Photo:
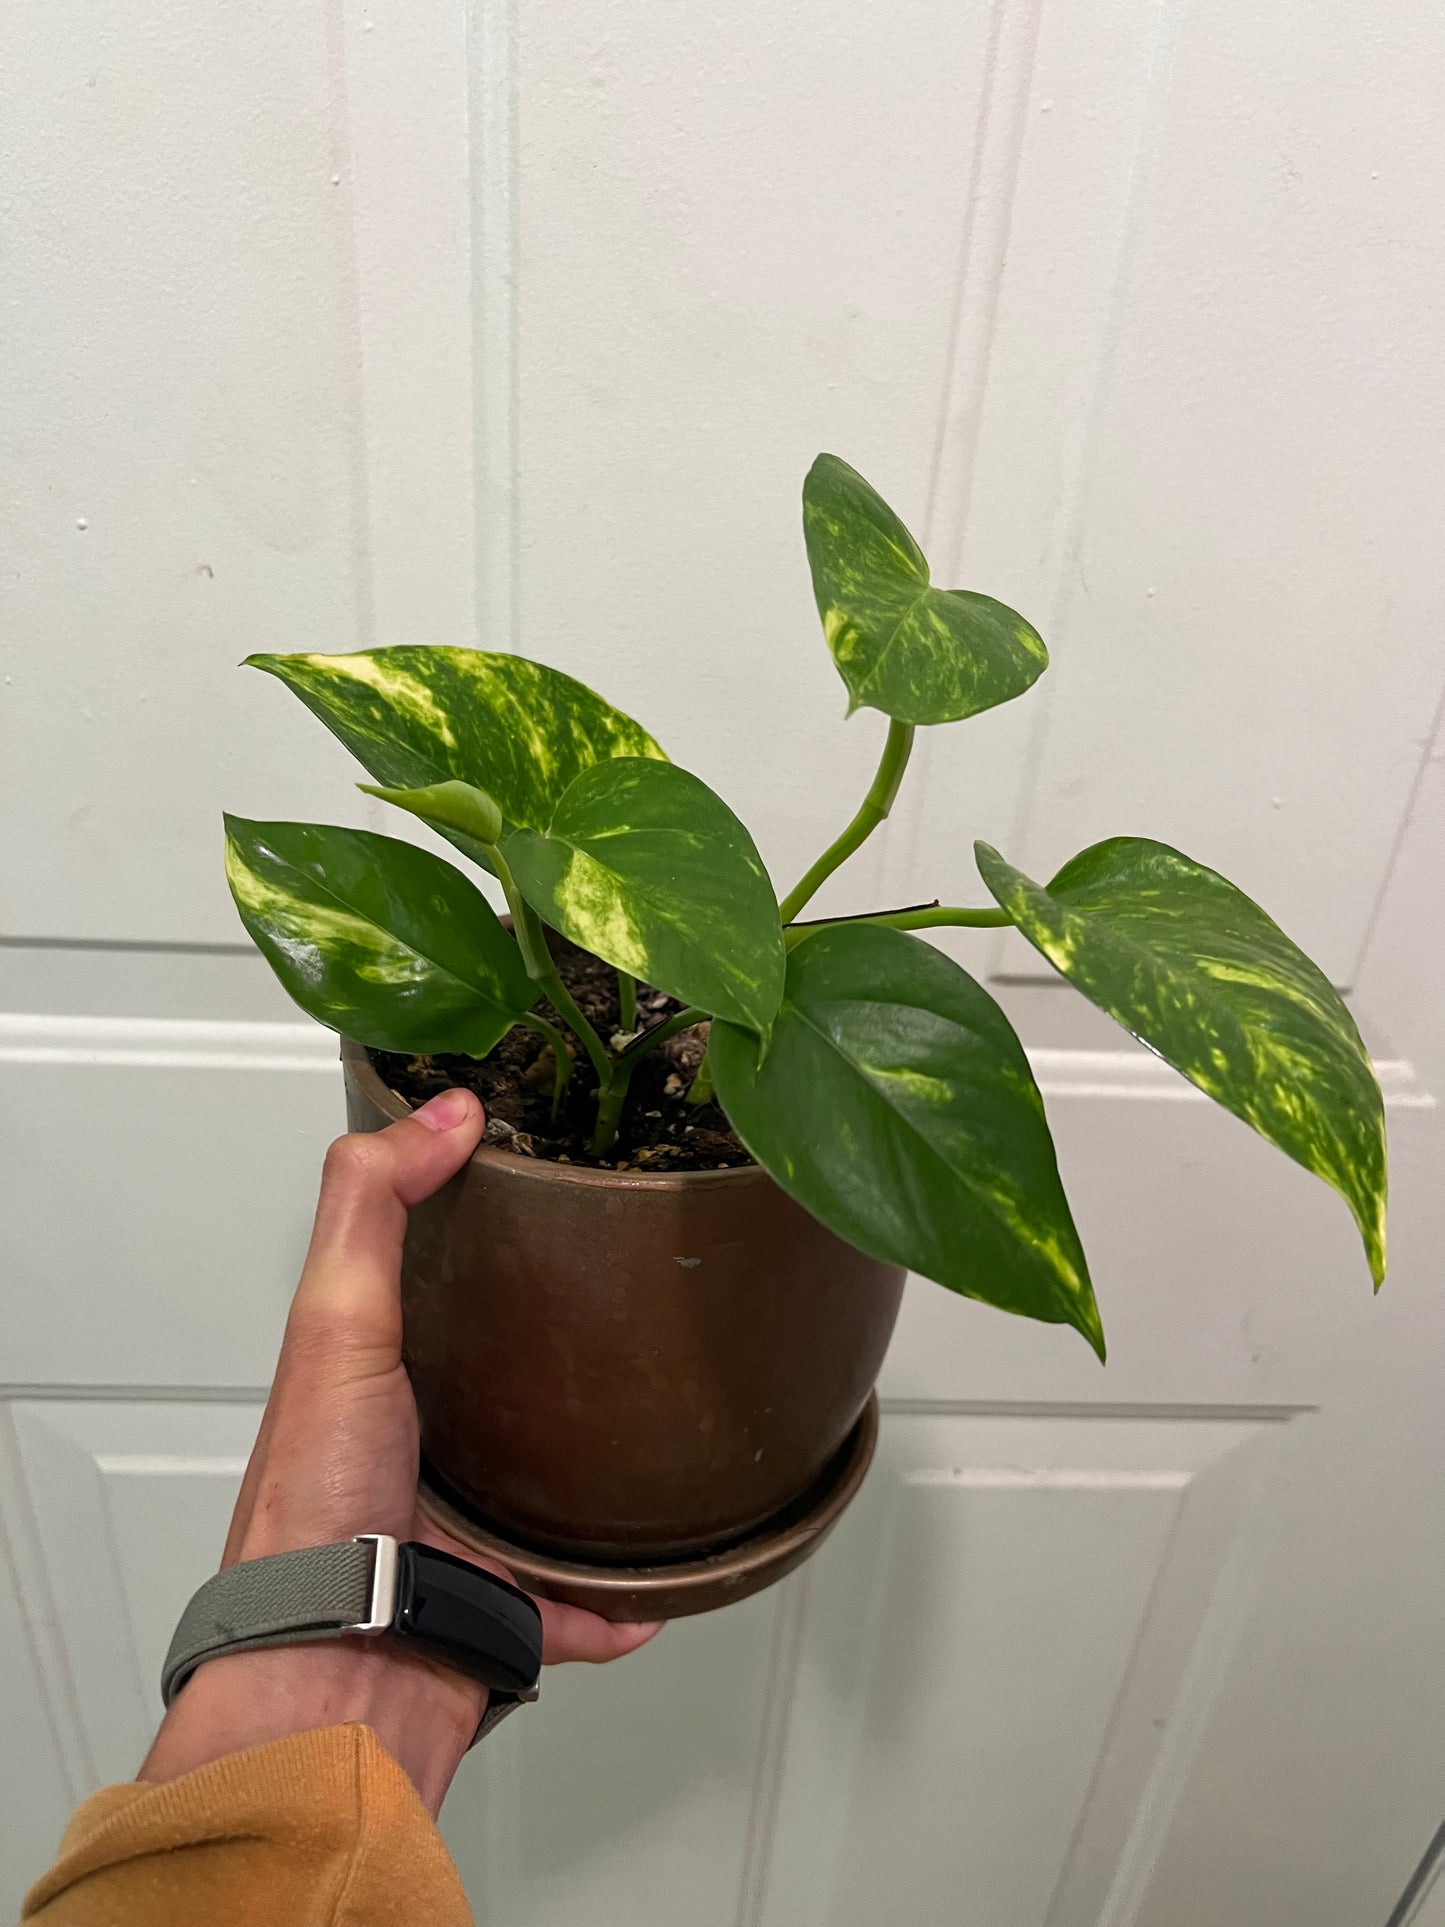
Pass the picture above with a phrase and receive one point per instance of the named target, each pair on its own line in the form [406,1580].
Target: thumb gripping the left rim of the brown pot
[354,1265]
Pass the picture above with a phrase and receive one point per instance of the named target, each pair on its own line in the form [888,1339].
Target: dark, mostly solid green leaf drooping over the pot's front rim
[897,1105]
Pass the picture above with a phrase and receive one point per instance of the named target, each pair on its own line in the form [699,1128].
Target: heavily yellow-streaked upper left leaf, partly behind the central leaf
[421,716]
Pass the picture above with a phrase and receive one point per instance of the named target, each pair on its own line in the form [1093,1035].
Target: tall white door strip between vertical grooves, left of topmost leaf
[770,277]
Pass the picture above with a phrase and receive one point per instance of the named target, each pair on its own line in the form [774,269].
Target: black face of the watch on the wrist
[471,1620]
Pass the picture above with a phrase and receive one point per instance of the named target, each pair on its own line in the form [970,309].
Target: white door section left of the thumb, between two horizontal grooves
[178,1228]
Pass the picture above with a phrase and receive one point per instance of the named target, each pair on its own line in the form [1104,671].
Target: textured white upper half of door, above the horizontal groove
[1124,307]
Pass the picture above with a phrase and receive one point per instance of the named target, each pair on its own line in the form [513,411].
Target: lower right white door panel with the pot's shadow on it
[1011,1649]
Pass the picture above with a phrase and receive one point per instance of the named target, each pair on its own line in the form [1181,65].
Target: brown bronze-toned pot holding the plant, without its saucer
[625,1367]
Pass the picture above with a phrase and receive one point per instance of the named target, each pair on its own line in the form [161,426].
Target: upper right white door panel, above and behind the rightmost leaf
[1244,660]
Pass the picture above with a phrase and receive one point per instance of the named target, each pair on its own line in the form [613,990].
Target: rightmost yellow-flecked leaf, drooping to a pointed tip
[1209,982]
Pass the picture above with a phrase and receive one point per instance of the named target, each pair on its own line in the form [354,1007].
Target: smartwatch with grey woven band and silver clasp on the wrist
[444,1608]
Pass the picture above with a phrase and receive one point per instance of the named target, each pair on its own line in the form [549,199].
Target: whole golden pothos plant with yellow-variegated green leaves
[864,1070]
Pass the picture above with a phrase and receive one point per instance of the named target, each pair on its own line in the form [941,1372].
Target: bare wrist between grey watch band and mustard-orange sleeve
[423,1714]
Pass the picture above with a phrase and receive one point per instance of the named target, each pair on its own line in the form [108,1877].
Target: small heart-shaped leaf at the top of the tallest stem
[903,647]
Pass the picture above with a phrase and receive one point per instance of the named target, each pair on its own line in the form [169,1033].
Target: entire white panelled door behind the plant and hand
[377,323]
